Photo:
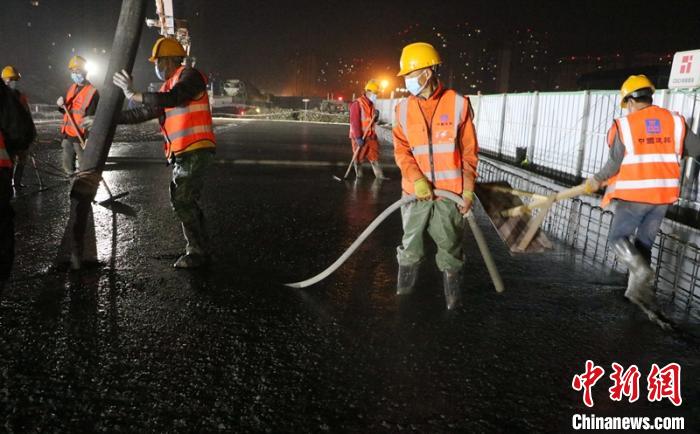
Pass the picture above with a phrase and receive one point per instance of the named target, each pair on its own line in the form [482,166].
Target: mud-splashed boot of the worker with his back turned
[639,289]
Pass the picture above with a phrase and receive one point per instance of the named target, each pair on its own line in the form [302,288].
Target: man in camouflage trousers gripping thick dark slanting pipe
[182,106]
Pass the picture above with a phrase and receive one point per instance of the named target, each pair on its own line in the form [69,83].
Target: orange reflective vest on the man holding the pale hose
[434,142]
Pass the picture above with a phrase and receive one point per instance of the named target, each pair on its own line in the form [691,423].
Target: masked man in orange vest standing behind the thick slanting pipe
[80,101]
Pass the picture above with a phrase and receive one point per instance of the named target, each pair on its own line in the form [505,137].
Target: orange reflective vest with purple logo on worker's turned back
[650,171]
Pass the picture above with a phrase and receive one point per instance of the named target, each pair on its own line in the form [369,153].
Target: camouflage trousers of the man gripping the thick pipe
[186,187]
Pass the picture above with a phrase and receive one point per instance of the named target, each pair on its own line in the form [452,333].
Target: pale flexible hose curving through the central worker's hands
[478,236]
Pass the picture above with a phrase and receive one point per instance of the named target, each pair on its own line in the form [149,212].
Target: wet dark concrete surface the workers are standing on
[134,346]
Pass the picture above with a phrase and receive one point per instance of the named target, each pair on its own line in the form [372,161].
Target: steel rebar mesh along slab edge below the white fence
[584,227]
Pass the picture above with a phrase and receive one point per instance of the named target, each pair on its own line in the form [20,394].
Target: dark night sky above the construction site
[261,40]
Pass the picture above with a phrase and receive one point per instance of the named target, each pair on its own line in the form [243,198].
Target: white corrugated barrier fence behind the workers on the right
[562,132]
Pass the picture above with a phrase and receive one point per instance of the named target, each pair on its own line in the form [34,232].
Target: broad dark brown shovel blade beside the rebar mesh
[495,198]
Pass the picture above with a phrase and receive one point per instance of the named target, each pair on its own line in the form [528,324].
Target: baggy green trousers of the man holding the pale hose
[443,222]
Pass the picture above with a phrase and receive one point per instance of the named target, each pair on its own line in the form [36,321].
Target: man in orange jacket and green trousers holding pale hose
[435,146]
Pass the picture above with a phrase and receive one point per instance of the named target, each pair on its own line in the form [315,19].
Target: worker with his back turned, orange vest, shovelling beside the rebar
[642,175]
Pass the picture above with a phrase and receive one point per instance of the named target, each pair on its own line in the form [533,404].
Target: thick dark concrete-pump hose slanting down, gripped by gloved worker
[84,188]
